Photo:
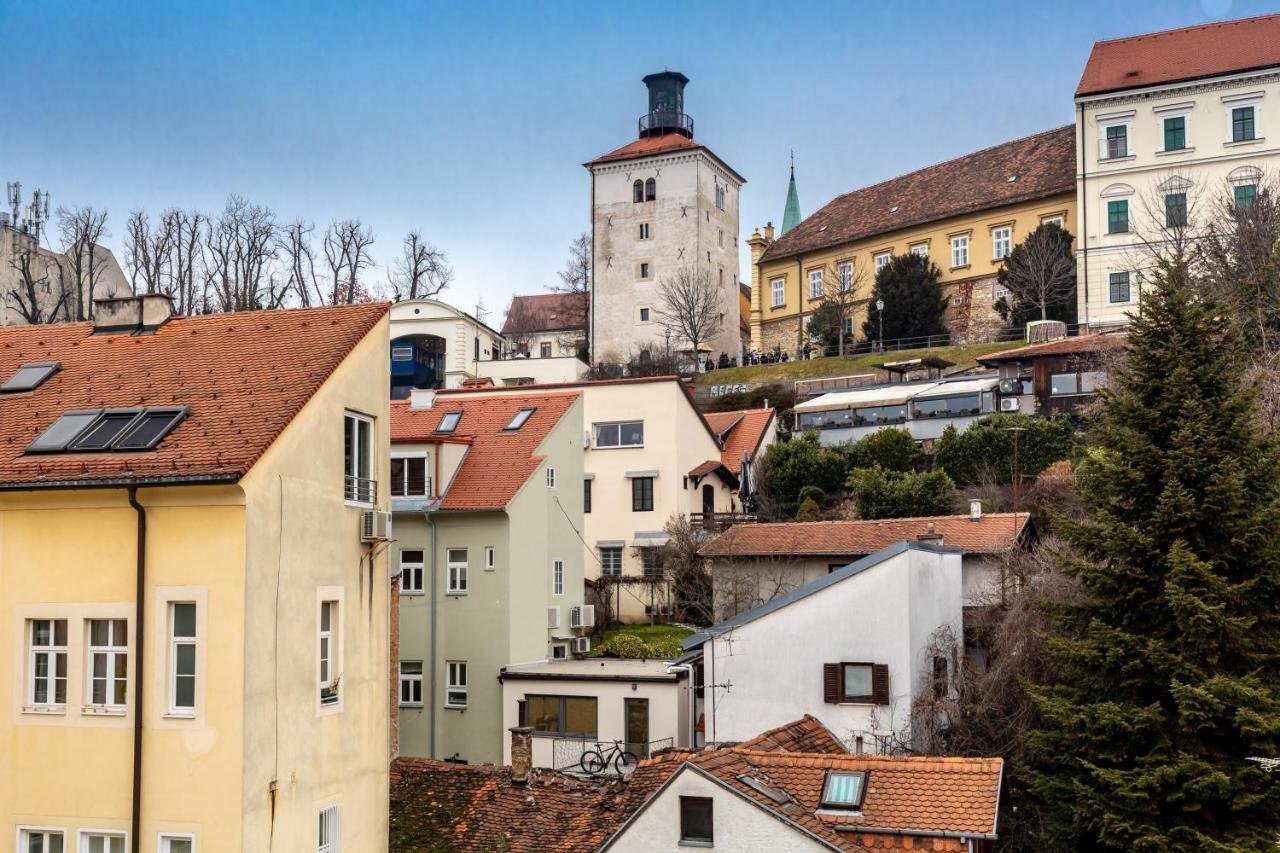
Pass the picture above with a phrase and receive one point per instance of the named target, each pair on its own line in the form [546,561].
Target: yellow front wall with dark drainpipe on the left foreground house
[71,555]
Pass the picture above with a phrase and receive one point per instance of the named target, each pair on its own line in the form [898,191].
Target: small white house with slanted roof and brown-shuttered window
[853,649]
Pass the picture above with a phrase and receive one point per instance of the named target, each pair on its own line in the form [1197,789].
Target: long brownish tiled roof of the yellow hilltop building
[1045,166]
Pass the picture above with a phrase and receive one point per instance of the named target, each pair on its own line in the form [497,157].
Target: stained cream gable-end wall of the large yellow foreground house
[303,542]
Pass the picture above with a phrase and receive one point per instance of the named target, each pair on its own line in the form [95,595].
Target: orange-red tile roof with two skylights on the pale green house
[499,462]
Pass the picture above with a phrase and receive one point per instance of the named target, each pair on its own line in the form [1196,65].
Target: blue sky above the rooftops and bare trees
[470,121]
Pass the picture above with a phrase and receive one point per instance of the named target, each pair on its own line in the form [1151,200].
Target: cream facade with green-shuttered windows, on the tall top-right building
[1208,165]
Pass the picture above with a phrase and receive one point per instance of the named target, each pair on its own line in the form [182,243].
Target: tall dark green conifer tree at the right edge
[1168,665]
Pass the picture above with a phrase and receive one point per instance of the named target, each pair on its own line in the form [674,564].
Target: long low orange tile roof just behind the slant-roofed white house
[996,532]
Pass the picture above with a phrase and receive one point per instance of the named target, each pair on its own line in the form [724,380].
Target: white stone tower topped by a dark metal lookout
[660,204]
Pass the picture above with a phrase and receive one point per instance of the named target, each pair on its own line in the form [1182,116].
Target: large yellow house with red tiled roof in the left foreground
[226,568]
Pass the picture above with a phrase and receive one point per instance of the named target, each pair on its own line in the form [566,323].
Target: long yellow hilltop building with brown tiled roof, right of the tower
[966,216]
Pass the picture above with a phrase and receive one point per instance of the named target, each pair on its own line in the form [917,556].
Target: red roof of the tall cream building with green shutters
[1191,53]
